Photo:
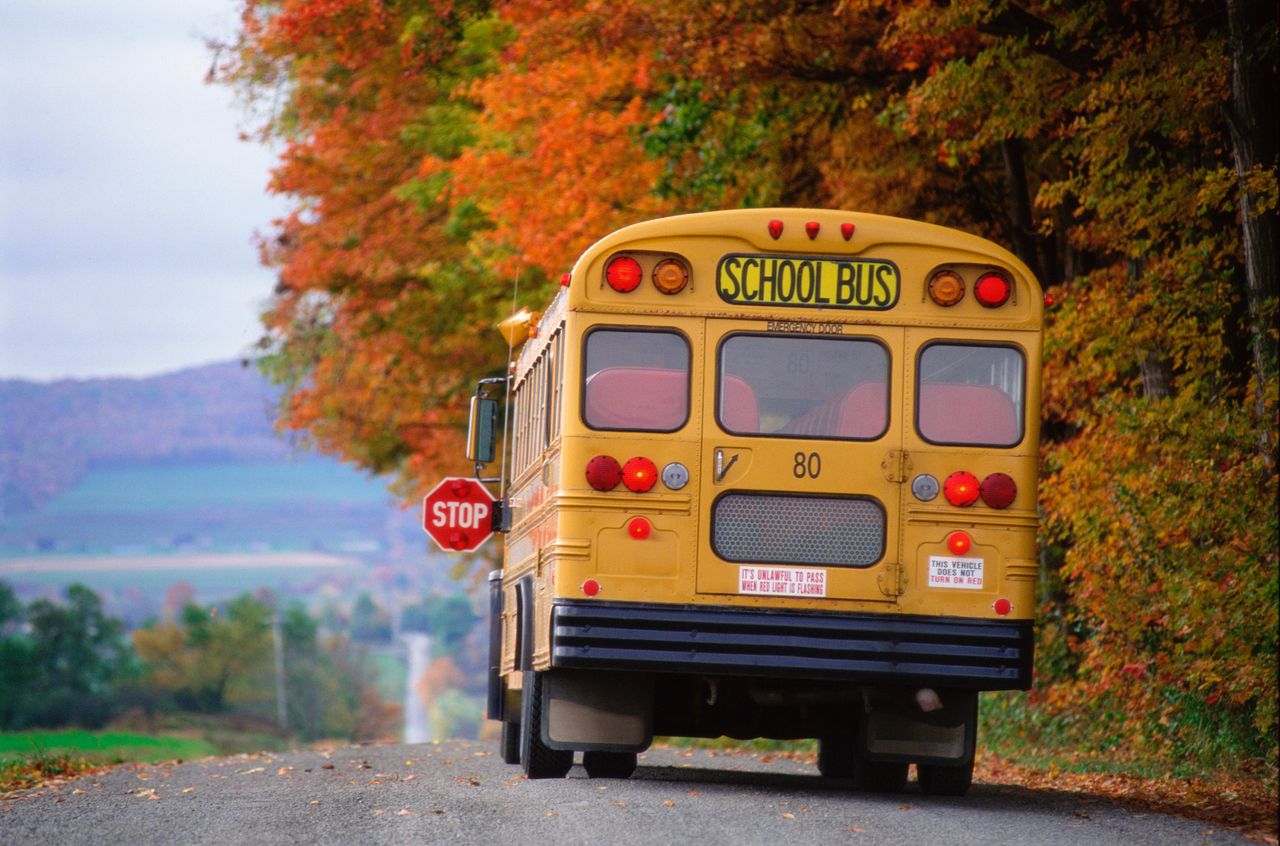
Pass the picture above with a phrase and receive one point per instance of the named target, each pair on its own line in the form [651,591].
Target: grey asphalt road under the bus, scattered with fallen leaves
[461,793]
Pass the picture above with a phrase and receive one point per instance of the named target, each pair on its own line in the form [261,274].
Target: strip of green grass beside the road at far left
[31,758]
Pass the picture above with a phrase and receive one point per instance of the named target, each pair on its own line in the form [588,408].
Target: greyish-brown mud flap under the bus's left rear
[598,711]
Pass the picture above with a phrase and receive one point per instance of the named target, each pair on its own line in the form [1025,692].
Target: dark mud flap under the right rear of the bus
[890,733]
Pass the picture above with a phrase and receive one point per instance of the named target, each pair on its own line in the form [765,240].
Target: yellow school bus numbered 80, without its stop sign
[772,474]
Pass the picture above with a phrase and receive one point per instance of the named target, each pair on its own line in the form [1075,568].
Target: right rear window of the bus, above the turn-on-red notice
[971,395]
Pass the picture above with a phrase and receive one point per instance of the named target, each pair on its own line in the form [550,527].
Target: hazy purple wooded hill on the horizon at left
[53,433]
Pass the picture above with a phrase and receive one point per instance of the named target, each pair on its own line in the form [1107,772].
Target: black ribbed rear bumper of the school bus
[890,650]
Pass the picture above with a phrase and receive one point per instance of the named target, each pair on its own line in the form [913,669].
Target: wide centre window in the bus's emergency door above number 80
[790,387]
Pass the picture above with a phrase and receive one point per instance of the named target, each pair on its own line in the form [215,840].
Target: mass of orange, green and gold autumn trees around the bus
[438,152]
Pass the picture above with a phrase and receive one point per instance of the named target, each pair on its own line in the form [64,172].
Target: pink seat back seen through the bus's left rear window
[638,399]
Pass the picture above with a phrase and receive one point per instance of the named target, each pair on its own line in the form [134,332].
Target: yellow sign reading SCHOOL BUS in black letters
[808,282]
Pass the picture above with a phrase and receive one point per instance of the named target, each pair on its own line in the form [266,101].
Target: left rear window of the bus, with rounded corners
[636,379]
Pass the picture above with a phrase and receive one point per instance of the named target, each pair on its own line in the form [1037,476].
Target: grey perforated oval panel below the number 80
[834,532]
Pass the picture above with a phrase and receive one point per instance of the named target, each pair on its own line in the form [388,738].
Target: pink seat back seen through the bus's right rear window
[967,415]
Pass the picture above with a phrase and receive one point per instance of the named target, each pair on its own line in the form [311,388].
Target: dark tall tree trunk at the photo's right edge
[1251,117]
